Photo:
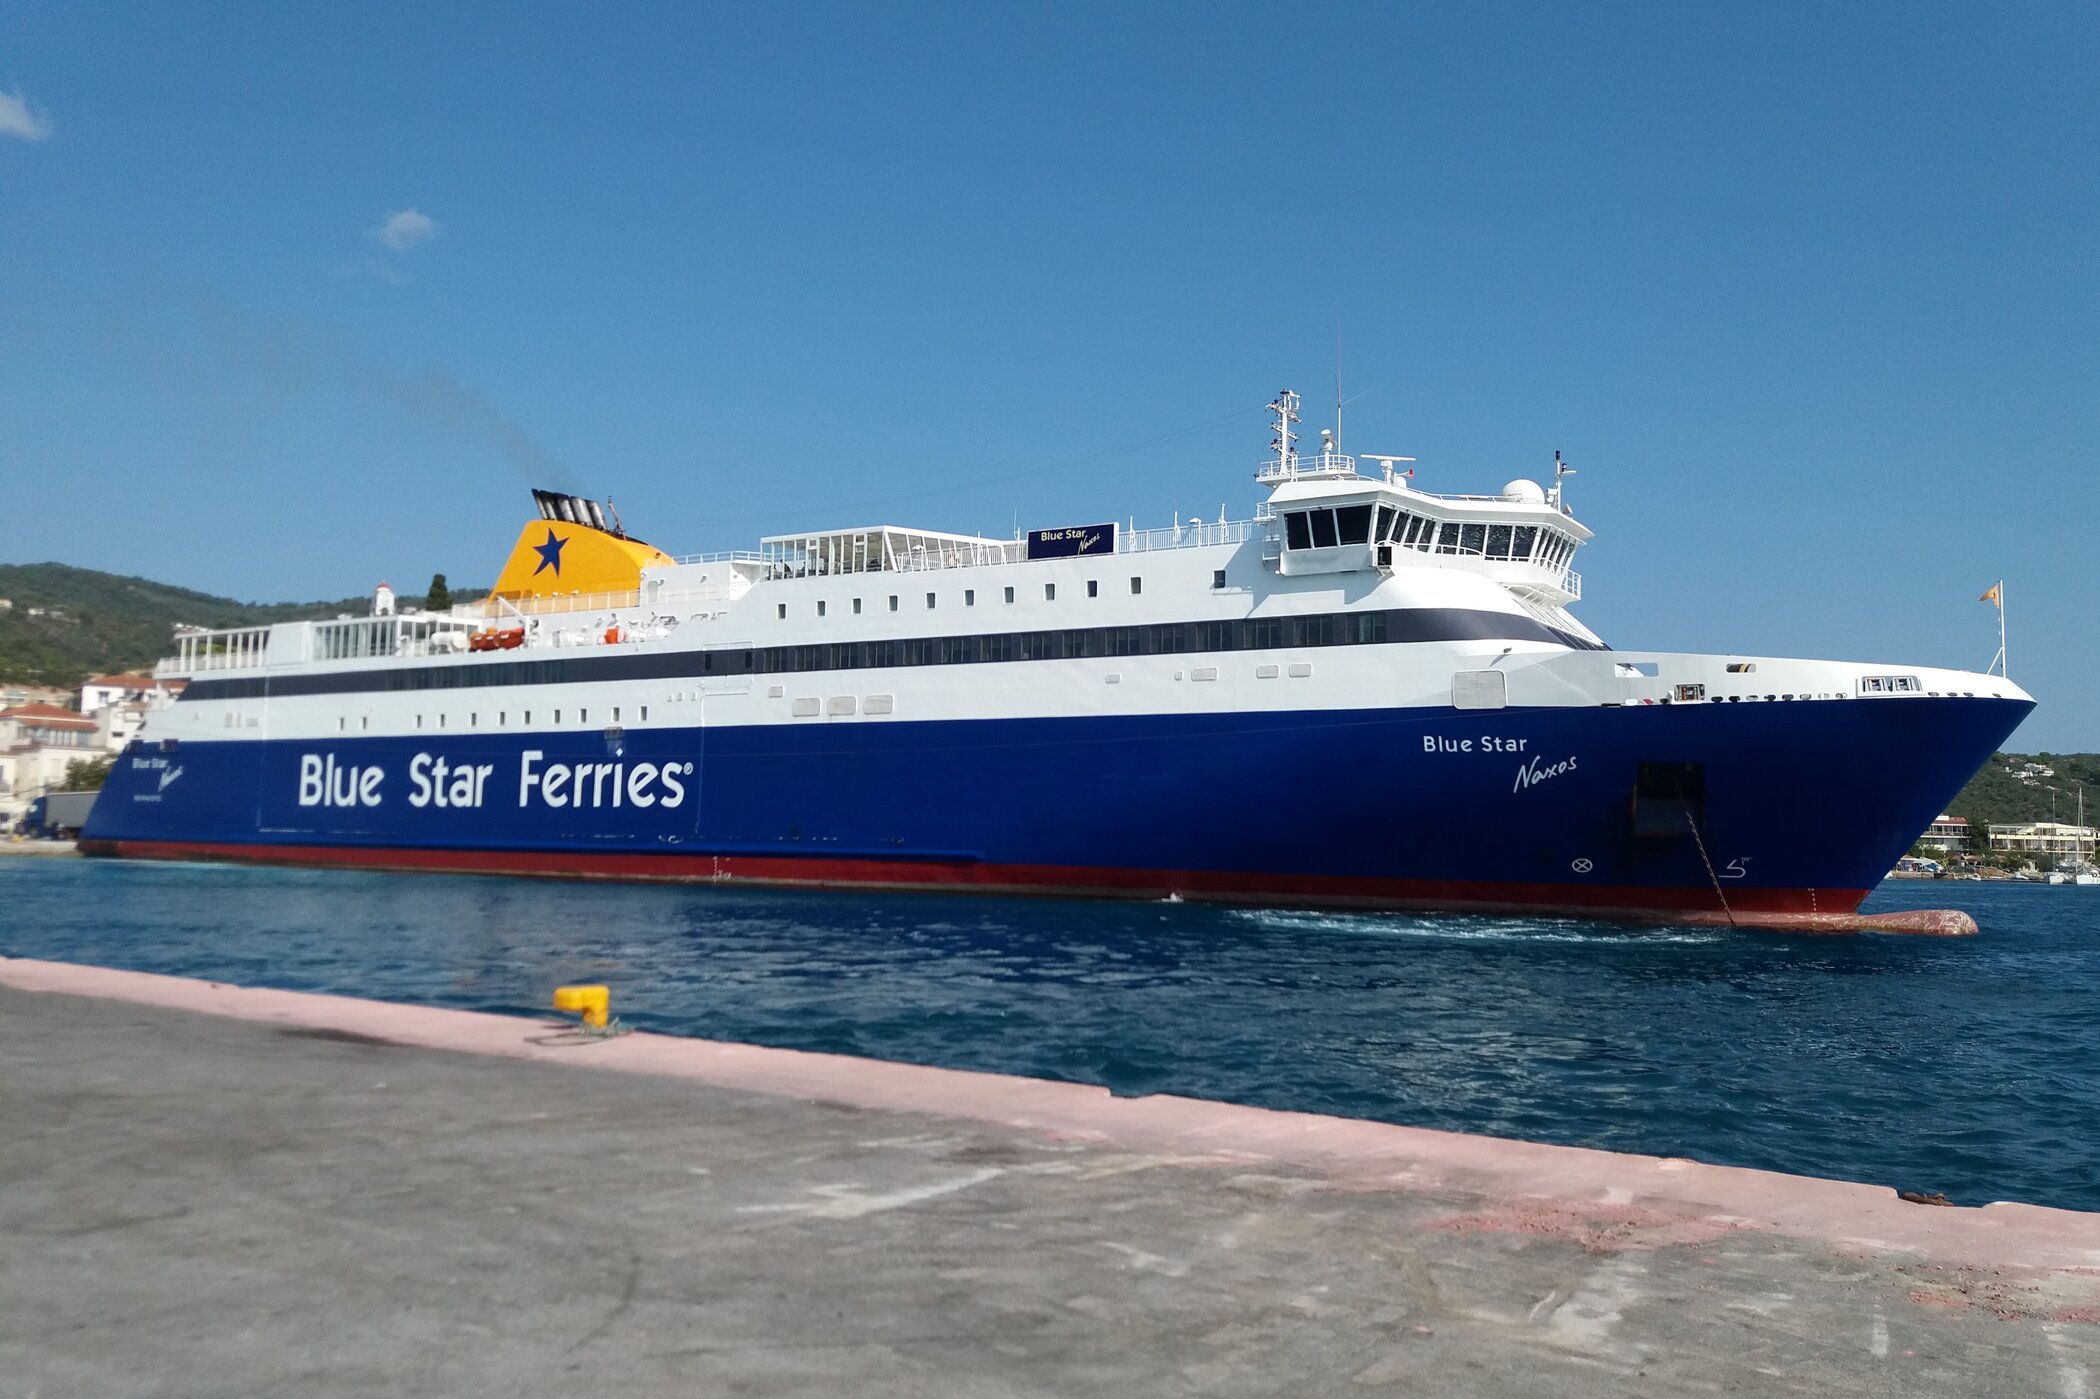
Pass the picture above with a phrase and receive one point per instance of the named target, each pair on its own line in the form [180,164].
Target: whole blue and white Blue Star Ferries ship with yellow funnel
[1364,696]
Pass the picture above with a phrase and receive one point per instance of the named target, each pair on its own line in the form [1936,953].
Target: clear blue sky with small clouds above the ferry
[303,297]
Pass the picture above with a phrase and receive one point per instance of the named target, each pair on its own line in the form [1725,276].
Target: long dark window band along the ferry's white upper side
[1404,625]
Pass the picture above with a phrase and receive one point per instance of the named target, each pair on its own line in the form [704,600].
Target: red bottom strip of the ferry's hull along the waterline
[1822,911]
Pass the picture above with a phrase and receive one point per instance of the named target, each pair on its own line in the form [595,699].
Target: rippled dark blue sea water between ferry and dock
[1960,1066]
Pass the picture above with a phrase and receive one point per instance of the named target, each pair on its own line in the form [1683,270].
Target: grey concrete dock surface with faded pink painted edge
[222,1192]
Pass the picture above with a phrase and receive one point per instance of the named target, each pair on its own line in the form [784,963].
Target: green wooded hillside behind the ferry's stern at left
[104,623]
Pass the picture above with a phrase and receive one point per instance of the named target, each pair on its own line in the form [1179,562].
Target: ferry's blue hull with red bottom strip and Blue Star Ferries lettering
[1788,814]
